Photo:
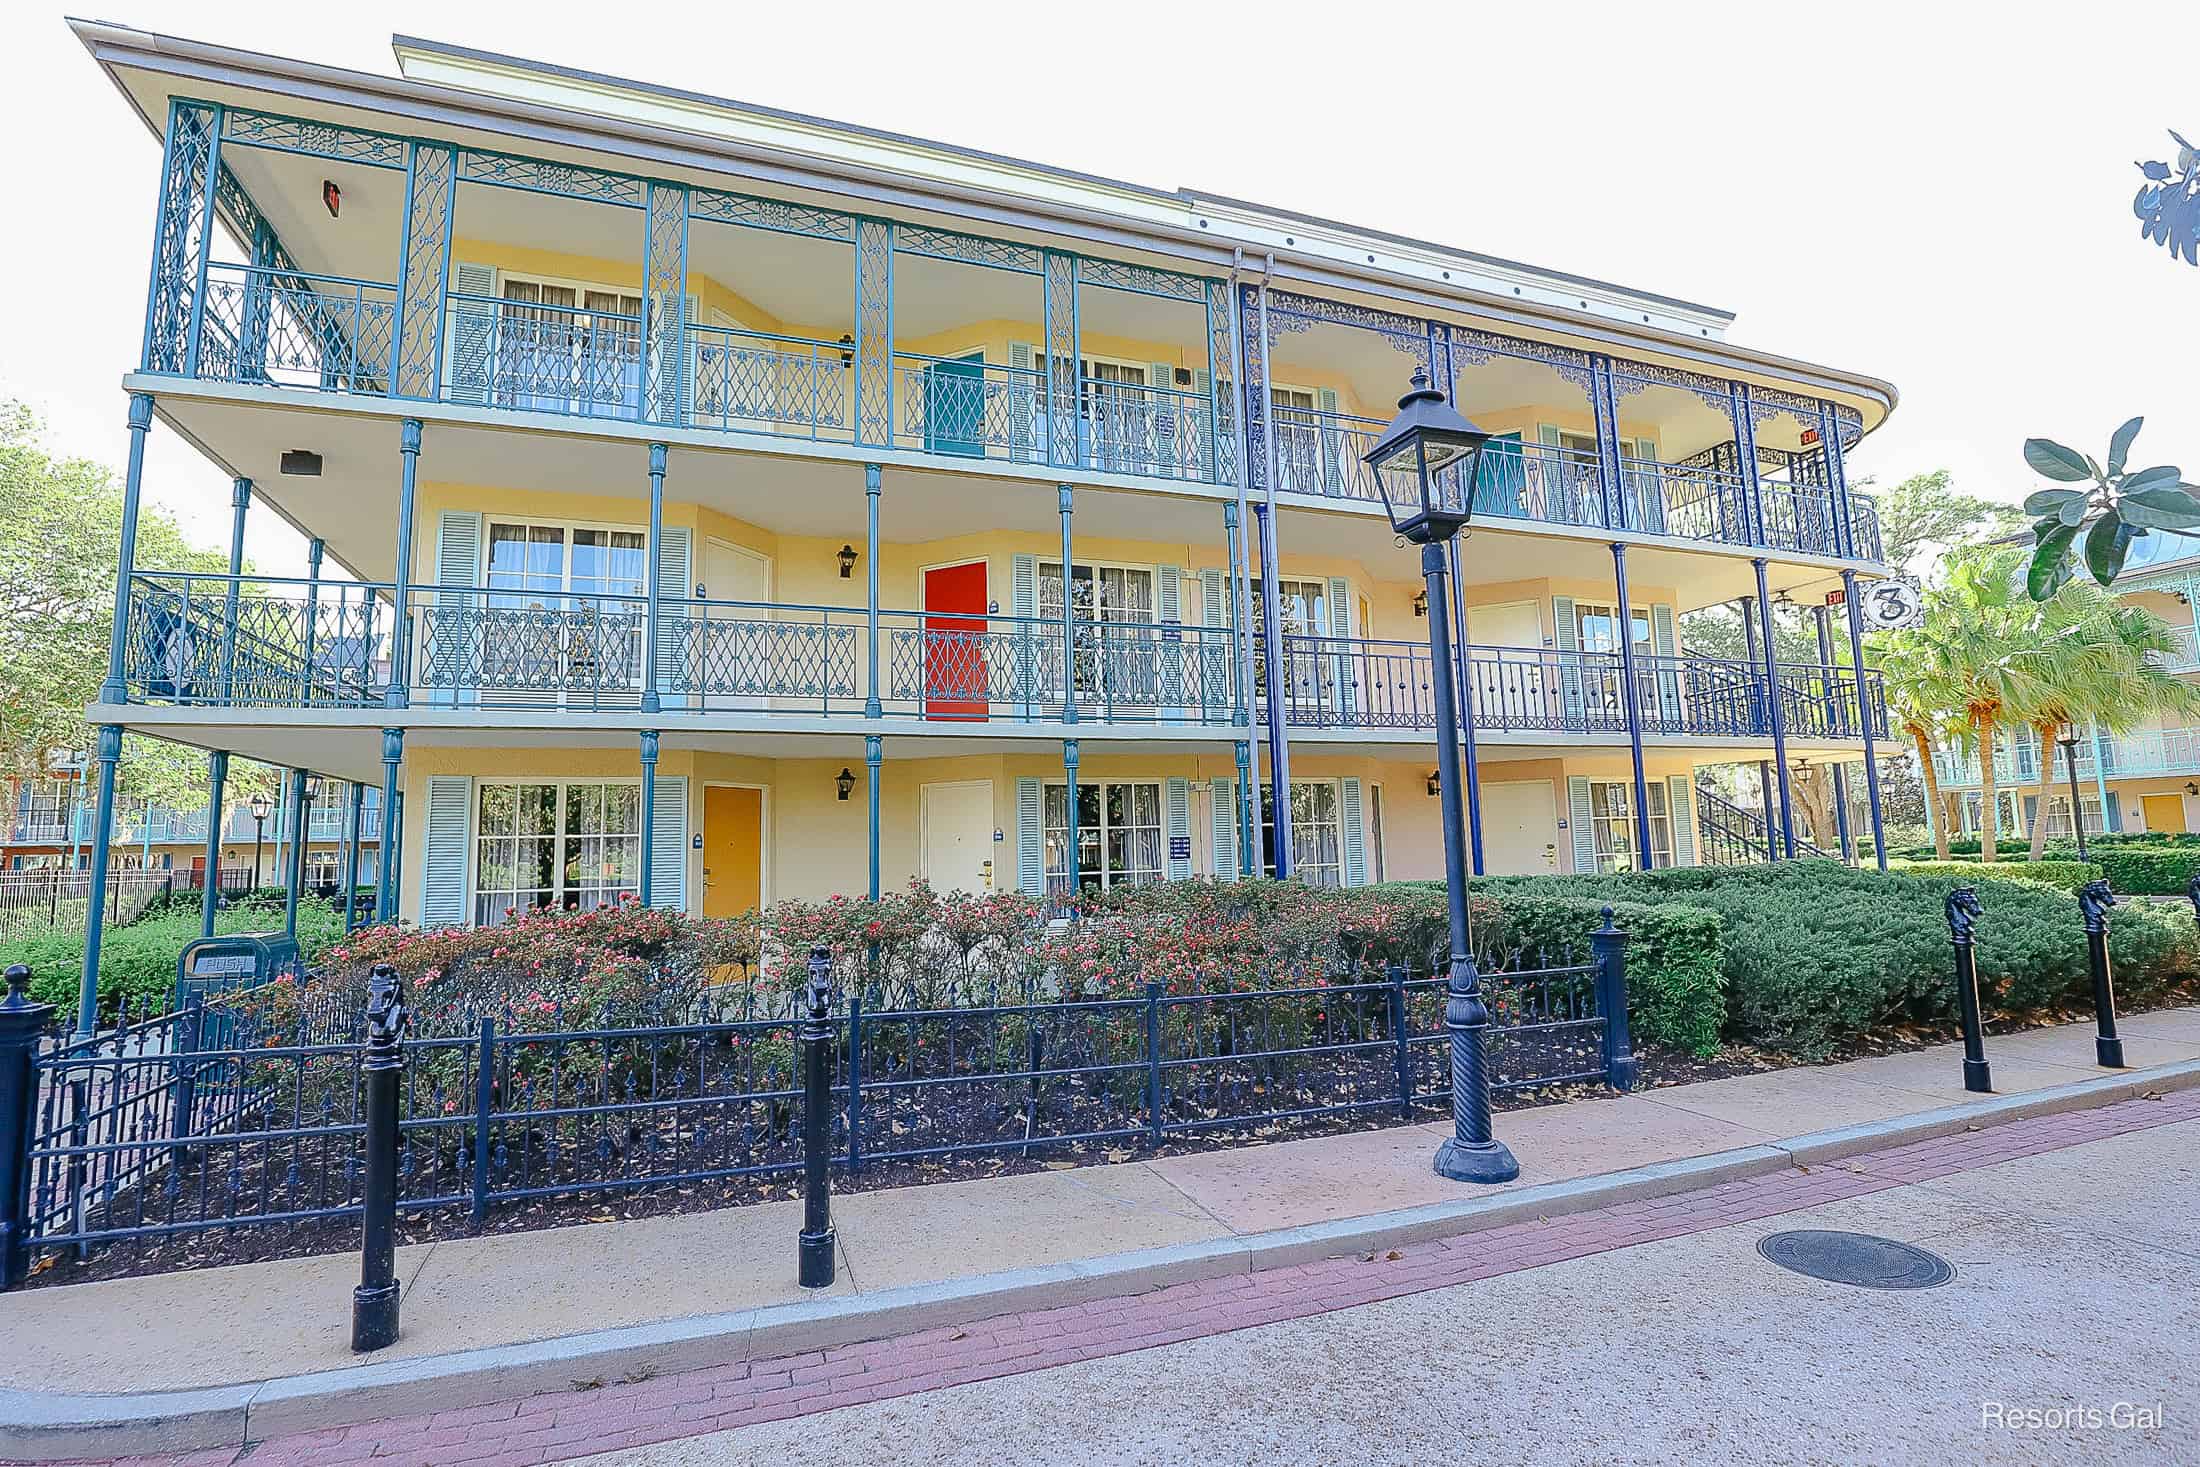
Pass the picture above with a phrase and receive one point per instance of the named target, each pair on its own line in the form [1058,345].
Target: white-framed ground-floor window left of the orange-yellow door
[566,846]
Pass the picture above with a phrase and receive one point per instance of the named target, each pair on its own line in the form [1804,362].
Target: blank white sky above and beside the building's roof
[1937,199]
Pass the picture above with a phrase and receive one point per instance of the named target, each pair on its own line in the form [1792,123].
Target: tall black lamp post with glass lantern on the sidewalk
[1427,465]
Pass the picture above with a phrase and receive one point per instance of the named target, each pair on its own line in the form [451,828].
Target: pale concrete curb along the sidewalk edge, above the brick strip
[58,1426]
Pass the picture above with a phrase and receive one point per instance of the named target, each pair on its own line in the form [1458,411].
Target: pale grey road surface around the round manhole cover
[2073,1294]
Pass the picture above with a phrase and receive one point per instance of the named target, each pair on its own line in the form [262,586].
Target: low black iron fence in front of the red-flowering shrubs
[223,1116]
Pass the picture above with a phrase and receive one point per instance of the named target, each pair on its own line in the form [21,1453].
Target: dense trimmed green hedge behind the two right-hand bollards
[1816,956]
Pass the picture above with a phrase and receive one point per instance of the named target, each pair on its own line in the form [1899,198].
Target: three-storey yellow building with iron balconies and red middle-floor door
[723,505]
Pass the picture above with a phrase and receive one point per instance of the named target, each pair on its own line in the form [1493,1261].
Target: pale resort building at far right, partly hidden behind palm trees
[2146,780]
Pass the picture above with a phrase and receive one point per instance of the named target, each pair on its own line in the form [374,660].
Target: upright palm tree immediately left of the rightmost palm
[1981,646]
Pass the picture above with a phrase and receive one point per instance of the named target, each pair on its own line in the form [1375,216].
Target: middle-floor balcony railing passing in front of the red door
[210,641]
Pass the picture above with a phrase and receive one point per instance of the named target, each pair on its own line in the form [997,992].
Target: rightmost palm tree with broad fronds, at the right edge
[2102,661]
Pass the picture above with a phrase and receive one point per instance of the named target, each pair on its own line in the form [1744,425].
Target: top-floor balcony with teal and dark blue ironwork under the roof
[780,322]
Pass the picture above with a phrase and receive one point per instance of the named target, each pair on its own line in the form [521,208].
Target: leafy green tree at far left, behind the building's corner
[60,538]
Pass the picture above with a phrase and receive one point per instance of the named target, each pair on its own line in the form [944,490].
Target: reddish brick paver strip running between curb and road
[577,1424]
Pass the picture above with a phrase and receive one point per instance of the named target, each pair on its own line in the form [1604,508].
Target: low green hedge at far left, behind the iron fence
[140,962]
